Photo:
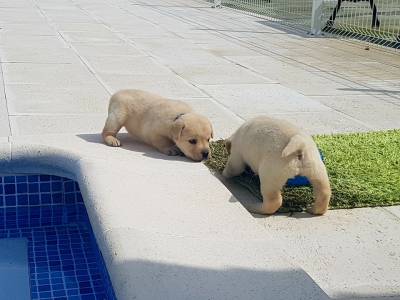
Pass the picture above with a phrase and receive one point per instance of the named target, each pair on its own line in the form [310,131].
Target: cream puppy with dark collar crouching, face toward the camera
[168,125]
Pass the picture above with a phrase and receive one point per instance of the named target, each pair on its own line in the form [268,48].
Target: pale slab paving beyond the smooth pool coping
[61,60]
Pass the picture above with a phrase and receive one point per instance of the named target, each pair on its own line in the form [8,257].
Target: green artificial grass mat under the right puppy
[364,171]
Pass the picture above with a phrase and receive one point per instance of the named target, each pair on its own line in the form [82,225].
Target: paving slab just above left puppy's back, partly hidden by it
[171,86]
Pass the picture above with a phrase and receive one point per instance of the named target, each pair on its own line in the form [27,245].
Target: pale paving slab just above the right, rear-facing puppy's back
[249,100]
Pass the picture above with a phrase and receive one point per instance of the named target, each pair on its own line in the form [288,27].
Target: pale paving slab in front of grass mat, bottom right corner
[357,246]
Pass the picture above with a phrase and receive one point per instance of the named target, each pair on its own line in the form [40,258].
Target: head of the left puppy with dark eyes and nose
[192,133]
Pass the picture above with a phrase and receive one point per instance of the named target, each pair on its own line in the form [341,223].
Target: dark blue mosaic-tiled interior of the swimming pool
[64,259]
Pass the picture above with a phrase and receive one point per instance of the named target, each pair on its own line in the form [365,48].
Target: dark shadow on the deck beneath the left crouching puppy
[128,144]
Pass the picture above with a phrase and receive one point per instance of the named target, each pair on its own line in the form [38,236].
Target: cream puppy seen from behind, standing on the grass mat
[276,150]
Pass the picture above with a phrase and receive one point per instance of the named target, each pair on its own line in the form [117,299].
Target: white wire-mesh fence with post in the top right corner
[375,21]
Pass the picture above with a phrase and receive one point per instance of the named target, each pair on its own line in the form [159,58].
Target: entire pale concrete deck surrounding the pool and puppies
[168,229]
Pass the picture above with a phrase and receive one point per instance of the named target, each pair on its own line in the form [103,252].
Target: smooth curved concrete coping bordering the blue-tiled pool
[167,240]
